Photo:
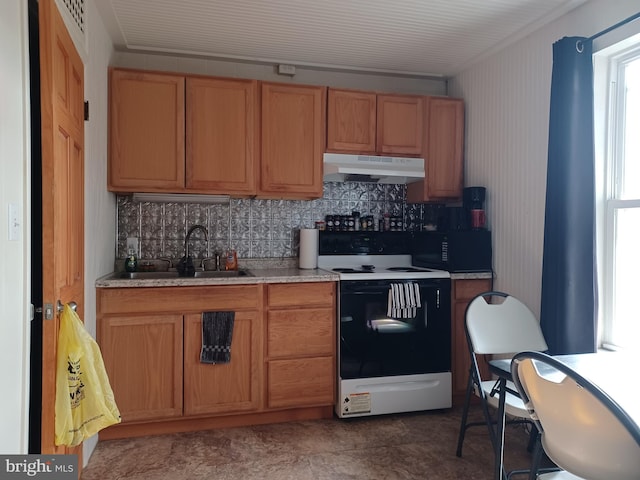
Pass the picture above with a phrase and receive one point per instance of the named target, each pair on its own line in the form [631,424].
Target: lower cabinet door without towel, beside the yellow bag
[143,359]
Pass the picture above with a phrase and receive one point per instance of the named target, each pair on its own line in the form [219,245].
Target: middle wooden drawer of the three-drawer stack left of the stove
[300,332]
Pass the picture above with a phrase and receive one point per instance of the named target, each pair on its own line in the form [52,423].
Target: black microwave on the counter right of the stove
[454,251]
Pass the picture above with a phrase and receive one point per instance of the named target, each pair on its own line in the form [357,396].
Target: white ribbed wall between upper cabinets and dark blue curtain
[507,120]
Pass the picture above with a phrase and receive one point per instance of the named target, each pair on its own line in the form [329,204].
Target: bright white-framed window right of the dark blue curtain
[620,204]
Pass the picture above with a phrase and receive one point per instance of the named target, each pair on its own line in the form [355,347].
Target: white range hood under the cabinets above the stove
[340,167]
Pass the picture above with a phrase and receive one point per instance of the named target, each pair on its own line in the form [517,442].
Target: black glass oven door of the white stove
[374,345]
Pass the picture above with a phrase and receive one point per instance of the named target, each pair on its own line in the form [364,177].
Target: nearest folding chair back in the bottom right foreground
[583,430]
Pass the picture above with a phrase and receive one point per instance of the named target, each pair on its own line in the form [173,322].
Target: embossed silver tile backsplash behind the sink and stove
[254,228]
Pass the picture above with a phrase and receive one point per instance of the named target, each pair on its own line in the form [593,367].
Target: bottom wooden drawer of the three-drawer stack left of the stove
[301,382]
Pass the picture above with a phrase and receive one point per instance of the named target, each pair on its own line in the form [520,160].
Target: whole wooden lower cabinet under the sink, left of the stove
[282,353]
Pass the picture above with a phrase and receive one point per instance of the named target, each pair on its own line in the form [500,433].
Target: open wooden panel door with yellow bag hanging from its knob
[62,104]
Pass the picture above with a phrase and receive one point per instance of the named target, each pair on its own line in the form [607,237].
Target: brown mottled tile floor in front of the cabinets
[404,446]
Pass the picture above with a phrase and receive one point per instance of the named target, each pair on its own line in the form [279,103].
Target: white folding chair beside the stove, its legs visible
[503,327]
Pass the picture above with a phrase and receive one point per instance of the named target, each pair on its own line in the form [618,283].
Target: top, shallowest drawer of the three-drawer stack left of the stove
[301,294]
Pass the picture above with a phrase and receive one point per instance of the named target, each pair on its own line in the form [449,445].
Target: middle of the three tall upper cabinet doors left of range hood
[222,135]
